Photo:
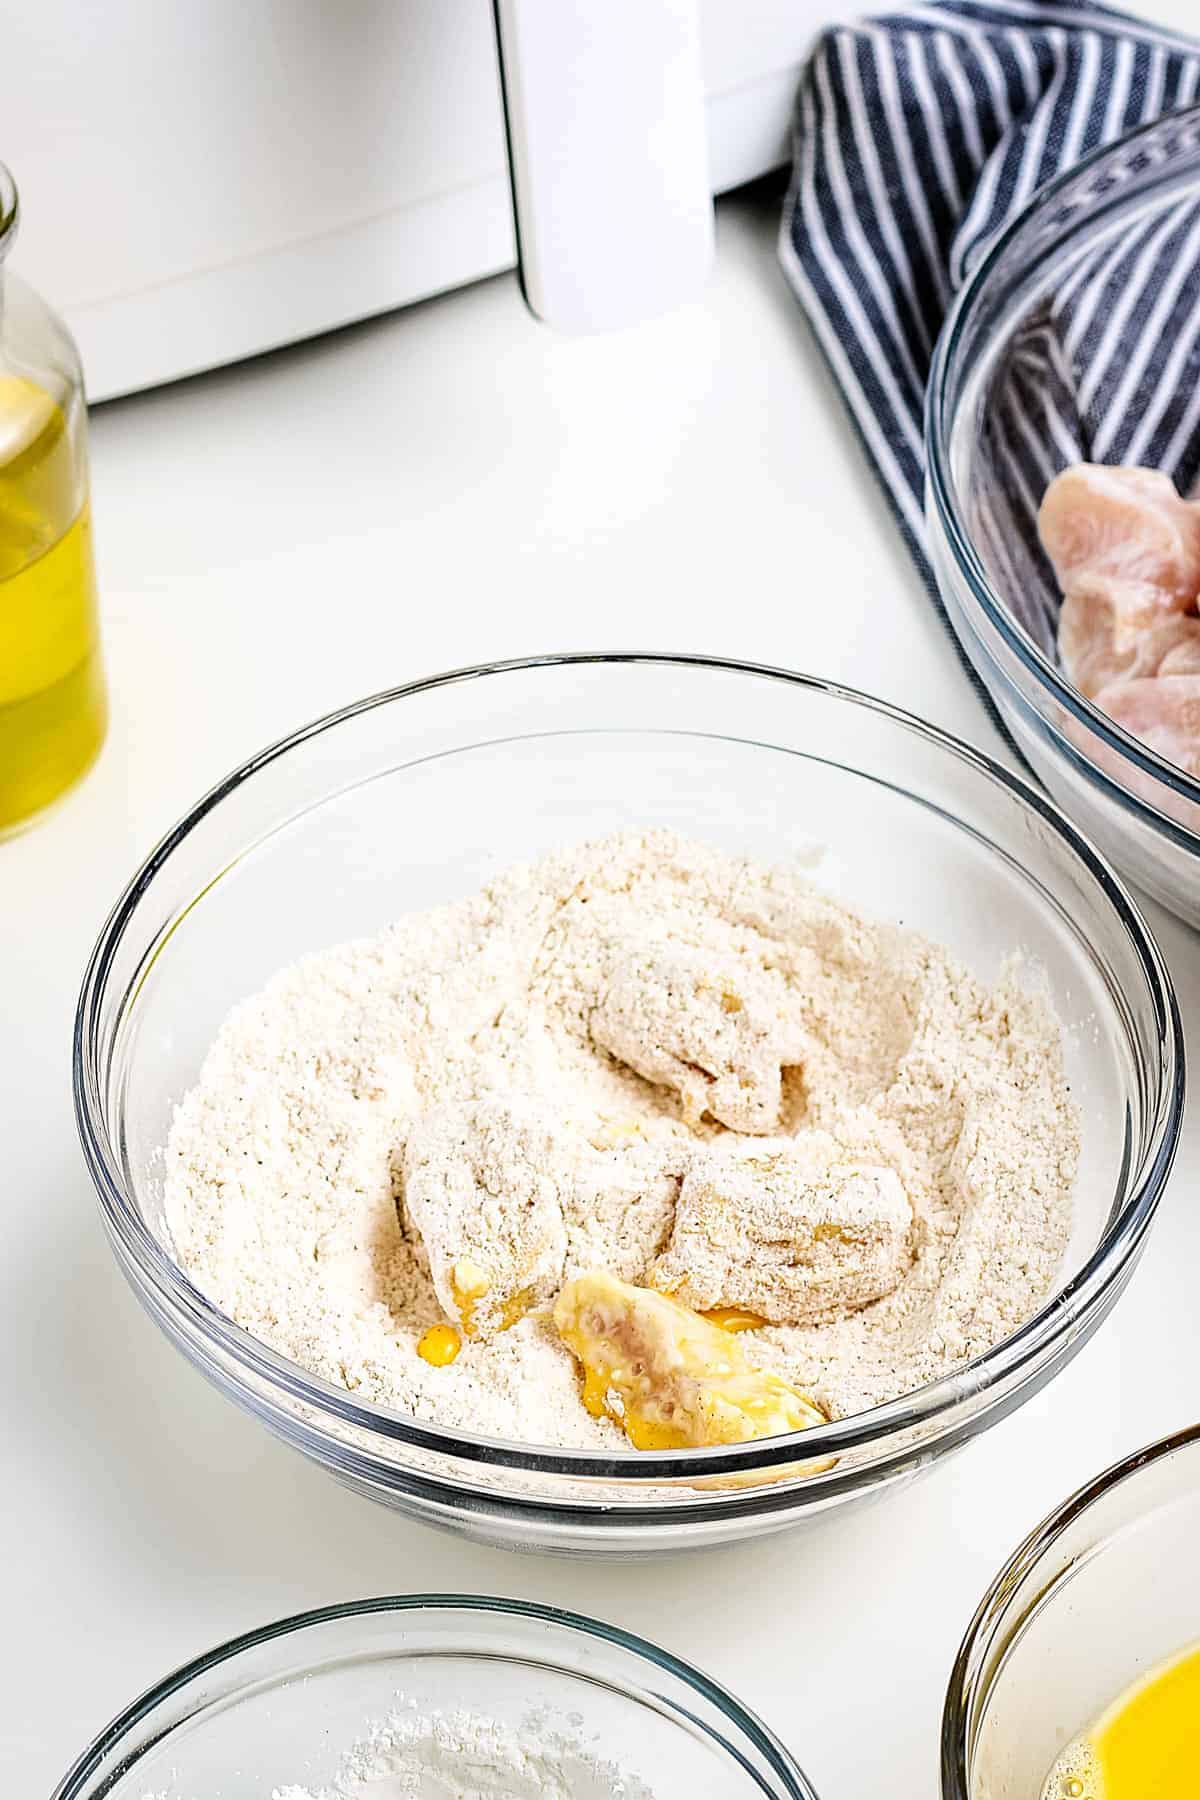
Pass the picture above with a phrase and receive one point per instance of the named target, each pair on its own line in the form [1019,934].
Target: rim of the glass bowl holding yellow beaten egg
[962,1689]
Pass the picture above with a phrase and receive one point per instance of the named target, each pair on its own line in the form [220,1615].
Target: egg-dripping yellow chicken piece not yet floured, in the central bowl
[672,1380]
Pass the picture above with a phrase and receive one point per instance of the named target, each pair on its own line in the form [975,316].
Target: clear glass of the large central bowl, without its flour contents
[420,795]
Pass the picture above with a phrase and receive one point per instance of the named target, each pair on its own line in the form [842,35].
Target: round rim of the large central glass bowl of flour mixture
[1017,1353]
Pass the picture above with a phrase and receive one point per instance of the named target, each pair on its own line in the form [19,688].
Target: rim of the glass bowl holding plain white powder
[483,1606]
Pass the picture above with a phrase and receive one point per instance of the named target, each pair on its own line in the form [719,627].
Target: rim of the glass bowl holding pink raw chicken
[944,489]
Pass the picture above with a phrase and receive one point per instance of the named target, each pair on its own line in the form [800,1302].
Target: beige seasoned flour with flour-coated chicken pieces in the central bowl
[656,1056]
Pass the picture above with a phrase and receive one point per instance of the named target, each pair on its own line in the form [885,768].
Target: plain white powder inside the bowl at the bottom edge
[463,1756]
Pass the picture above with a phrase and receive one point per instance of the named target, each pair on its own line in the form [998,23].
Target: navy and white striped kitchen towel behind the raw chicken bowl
[918,138]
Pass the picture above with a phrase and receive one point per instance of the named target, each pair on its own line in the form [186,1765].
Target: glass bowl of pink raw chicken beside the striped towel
[1064,453]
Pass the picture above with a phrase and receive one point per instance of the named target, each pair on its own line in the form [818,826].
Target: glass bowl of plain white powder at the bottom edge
[443,1698]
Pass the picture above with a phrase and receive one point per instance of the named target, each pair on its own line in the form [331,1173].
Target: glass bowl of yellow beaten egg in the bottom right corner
[1080,1675]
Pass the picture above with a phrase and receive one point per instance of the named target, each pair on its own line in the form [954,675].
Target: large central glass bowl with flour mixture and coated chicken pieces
[900,849]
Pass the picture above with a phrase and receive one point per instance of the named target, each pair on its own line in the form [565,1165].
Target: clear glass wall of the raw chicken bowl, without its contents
[989,467]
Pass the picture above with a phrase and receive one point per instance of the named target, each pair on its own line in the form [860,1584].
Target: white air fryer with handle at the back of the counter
[210,181]
